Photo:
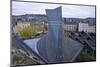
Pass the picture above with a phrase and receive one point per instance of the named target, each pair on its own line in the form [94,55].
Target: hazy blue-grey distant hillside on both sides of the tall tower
[39,17]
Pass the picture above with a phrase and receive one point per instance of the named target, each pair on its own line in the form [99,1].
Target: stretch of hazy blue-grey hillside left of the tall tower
[29,17]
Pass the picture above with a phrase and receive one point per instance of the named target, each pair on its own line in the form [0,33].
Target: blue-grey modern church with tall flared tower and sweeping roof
[54,47]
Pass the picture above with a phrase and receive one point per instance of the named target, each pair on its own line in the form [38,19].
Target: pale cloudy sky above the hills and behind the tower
[75,11]
